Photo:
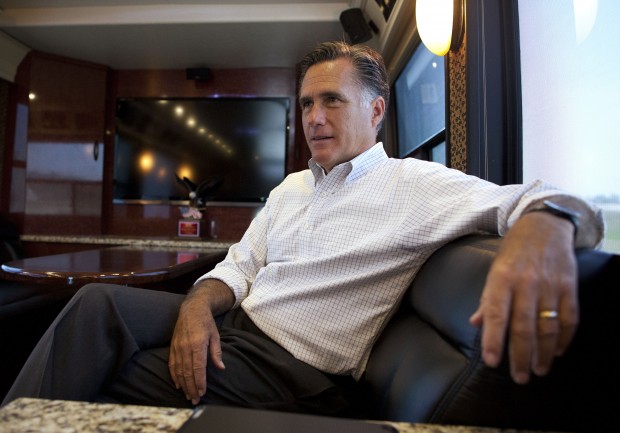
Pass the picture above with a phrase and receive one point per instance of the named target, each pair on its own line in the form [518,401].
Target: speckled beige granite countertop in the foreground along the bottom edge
[26,415]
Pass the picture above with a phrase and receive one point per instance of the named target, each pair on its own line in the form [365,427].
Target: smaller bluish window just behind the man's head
[420,98]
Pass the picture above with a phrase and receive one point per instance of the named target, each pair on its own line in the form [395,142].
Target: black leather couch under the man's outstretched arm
[427,365]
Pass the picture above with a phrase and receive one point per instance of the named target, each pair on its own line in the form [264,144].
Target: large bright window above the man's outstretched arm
[570,89]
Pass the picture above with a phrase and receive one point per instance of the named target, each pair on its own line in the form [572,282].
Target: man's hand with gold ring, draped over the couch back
[535,271]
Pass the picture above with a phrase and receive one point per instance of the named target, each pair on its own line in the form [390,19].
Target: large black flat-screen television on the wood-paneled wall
[234,147]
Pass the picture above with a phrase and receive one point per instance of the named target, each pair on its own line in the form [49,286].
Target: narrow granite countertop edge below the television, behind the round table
[128,241]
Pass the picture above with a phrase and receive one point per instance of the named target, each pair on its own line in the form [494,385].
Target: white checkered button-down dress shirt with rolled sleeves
[323,265]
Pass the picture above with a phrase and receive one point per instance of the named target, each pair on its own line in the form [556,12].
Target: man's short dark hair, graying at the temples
[371,74]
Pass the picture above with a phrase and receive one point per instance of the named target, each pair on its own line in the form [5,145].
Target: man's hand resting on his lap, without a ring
[196,338]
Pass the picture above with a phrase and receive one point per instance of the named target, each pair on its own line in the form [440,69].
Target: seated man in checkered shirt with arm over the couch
[301,299]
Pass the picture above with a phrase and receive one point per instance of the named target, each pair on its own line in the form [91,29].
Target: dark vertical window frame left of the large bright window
[494,121]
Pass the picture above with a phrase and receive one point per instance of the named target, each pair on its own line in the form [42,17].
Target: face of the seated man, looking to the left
[338,123]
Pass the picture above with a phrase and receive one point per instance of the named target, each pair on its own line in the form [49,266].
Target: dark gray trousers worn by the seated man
[111,344]
